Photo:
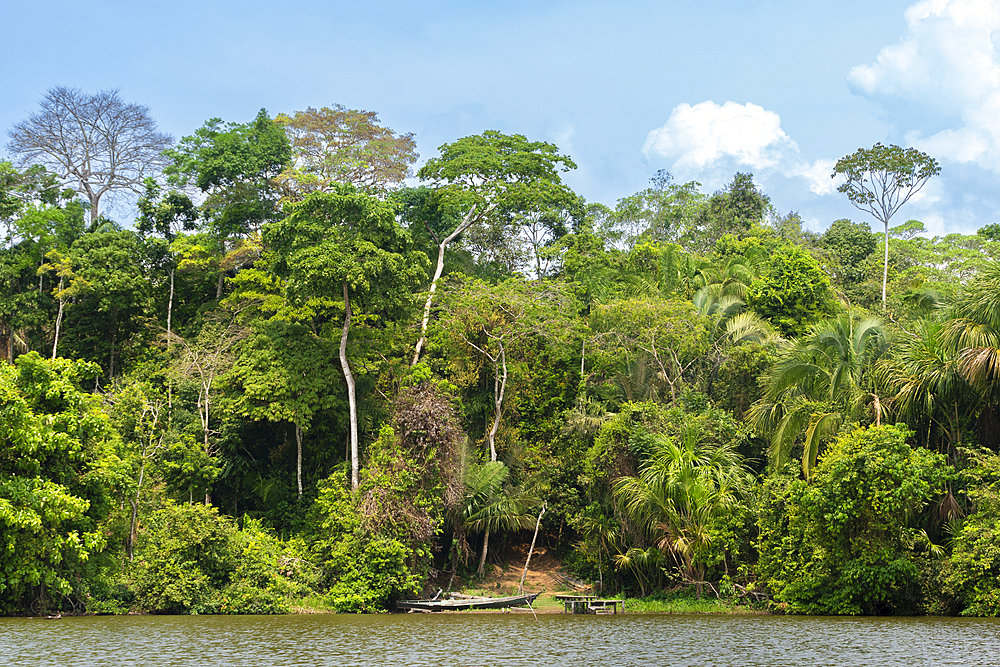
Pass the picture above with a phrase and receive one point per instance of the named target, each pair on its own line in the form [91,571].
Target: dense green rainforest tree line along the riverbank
[293,375]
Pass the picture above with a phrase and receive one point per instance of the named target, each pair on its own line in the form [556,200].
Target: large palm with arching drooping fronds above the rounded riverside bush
[818,383]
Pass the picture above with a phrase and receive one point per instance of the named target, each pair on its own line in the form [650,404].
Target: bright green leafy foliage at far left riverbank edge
[57,468]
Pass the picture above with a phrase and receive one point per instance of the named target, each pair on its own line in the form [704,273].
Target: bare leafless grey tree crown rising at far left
[97,144]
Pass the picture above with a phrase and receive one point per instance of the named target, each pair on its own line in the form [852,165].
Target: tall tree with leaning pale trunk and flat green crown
[483,173]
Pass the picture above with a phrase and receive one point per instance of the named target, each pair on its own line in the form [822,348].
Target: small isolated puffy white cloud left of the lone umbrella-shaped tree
[706,137]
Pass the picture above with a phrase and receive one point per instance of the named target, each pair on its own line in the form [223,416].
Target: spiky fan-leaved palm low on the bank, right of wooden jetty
[679,492]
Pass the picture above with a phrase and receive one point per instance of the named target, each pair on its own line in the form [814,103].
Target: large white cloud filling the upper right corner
[946,62]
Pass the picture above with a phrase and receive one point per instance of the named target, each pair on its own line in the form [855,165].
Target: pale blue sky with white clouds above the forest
[778,88]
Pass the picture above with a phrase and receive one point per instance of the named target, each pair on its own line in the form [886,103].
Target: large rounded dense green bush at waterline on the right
[844,541]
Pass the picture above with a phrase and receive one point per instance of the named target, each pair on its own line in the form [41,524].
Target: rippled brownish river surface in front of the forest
[496,639]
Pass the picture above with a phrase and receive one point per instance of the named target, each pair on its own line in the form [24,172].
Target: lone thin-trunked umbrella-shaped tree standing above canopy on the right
[880,180]
